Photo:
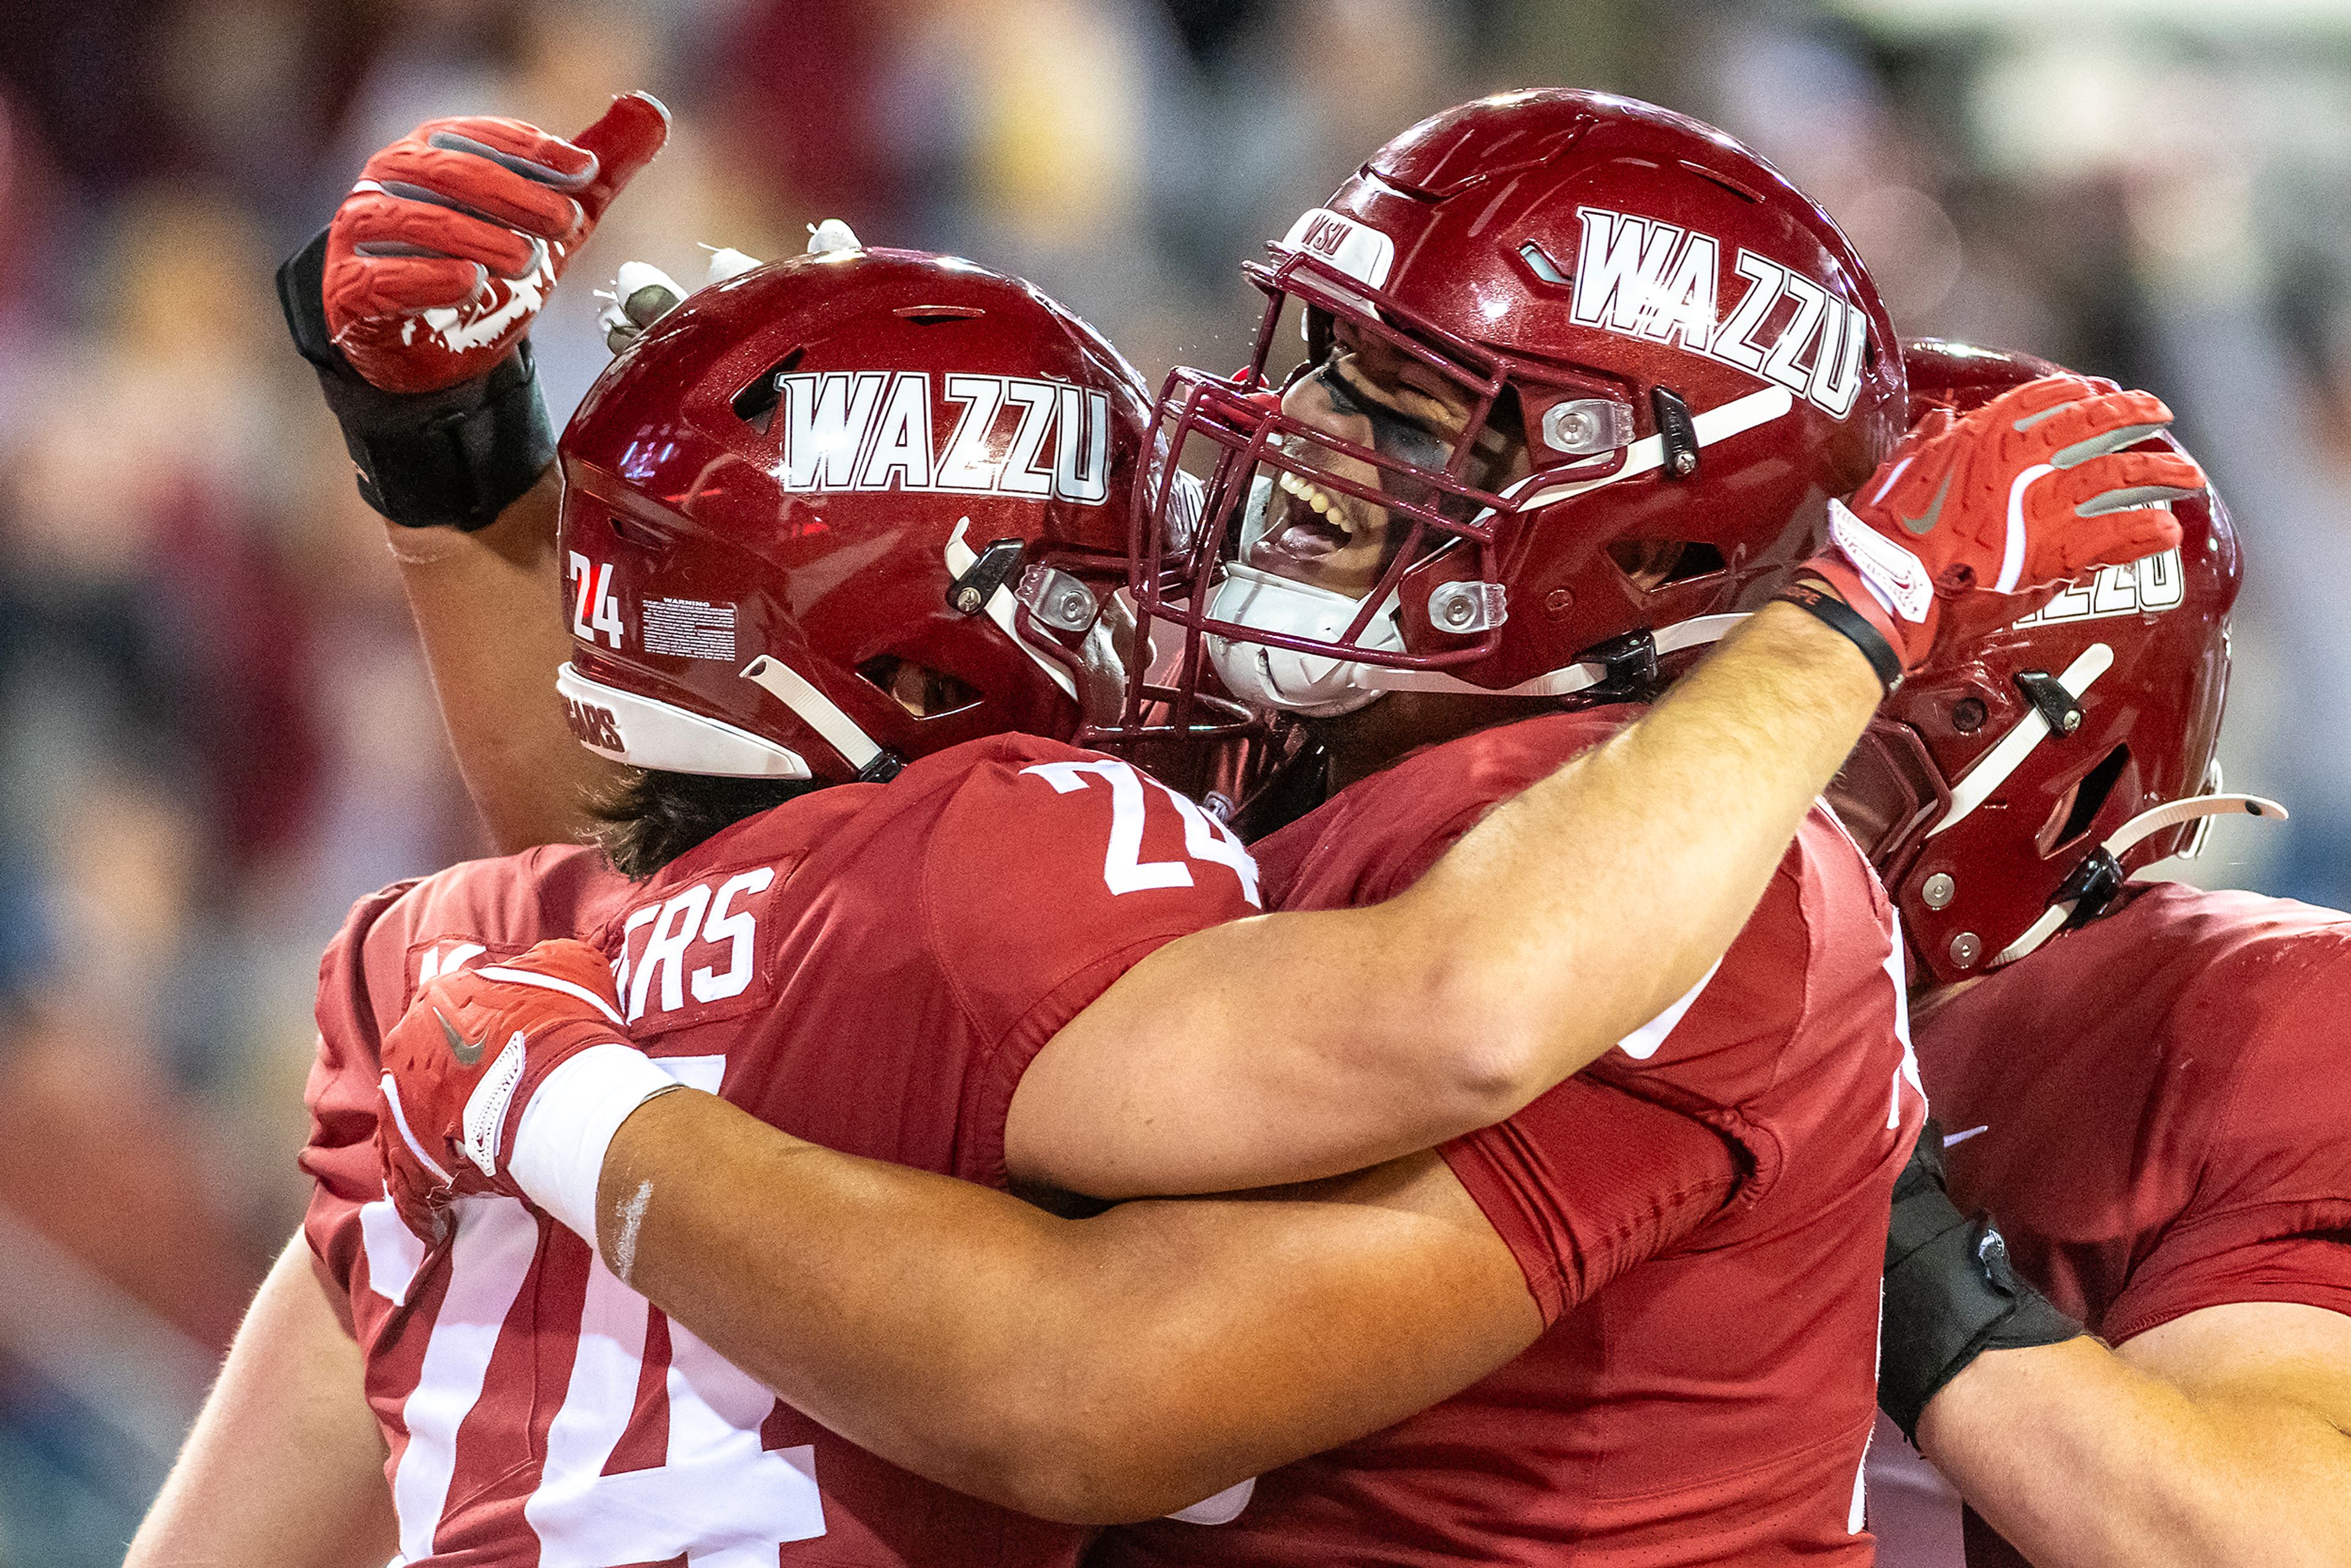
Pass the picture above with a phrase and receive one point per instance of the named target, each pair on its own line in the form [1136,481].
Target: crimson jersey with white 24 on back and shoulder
[869,967]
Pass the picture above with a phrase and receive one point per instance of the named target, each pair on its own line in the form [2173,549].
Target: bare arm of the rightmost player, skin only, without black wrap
[2216,1440]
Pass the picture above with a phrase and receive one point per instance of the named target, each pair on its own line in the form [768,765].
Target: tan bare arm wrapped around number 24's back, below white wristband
[1094,1369]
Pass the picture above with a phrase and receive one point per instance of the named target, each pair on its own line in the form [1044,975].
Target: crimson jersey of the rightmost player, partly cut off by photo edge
[2157,1115]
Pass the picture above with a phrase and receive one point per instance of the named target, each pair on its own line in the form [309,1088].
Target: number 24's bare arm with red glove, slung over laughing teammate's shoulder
[1304,1045]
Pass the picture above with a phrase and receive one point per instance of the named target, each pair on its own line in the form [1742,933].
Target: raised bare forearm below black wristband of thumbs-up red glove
[493,622]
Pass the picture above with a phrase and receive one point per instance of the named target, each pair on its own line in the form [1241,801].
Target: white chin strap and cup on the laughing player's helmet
[1325,688]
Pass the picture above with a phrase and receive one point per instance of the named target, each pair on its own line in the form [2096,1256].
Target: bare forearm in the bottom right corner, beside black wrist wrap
[2084,1461]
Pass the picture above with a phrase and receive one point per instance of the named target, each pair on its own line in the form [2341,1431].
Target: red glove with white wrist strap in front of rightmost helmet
[2016,497]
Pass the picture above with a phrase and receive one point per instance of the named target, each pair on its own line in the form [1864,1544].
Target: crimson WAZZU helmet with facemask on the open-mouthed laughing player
[1682,344]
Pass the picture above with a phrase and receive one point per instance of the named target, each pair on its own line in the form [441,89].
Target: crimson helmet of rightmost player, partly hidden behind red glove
[2014,784]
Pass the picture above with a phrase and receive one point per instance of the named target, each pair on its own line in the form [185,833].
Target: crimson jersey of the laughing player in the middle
[1713,1402]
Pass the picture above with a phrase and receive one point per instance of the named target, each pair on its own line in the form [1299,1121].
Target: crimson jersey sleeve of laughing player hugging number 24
[1588,1181]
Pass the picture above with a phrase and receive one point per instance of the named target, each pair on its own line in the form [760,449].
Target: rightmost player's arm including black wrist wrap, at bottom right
[2218,1438]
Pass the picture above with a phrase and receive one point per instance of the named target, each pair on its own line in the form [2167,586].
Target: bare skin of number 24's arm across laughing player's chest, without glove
[1306,1045]
